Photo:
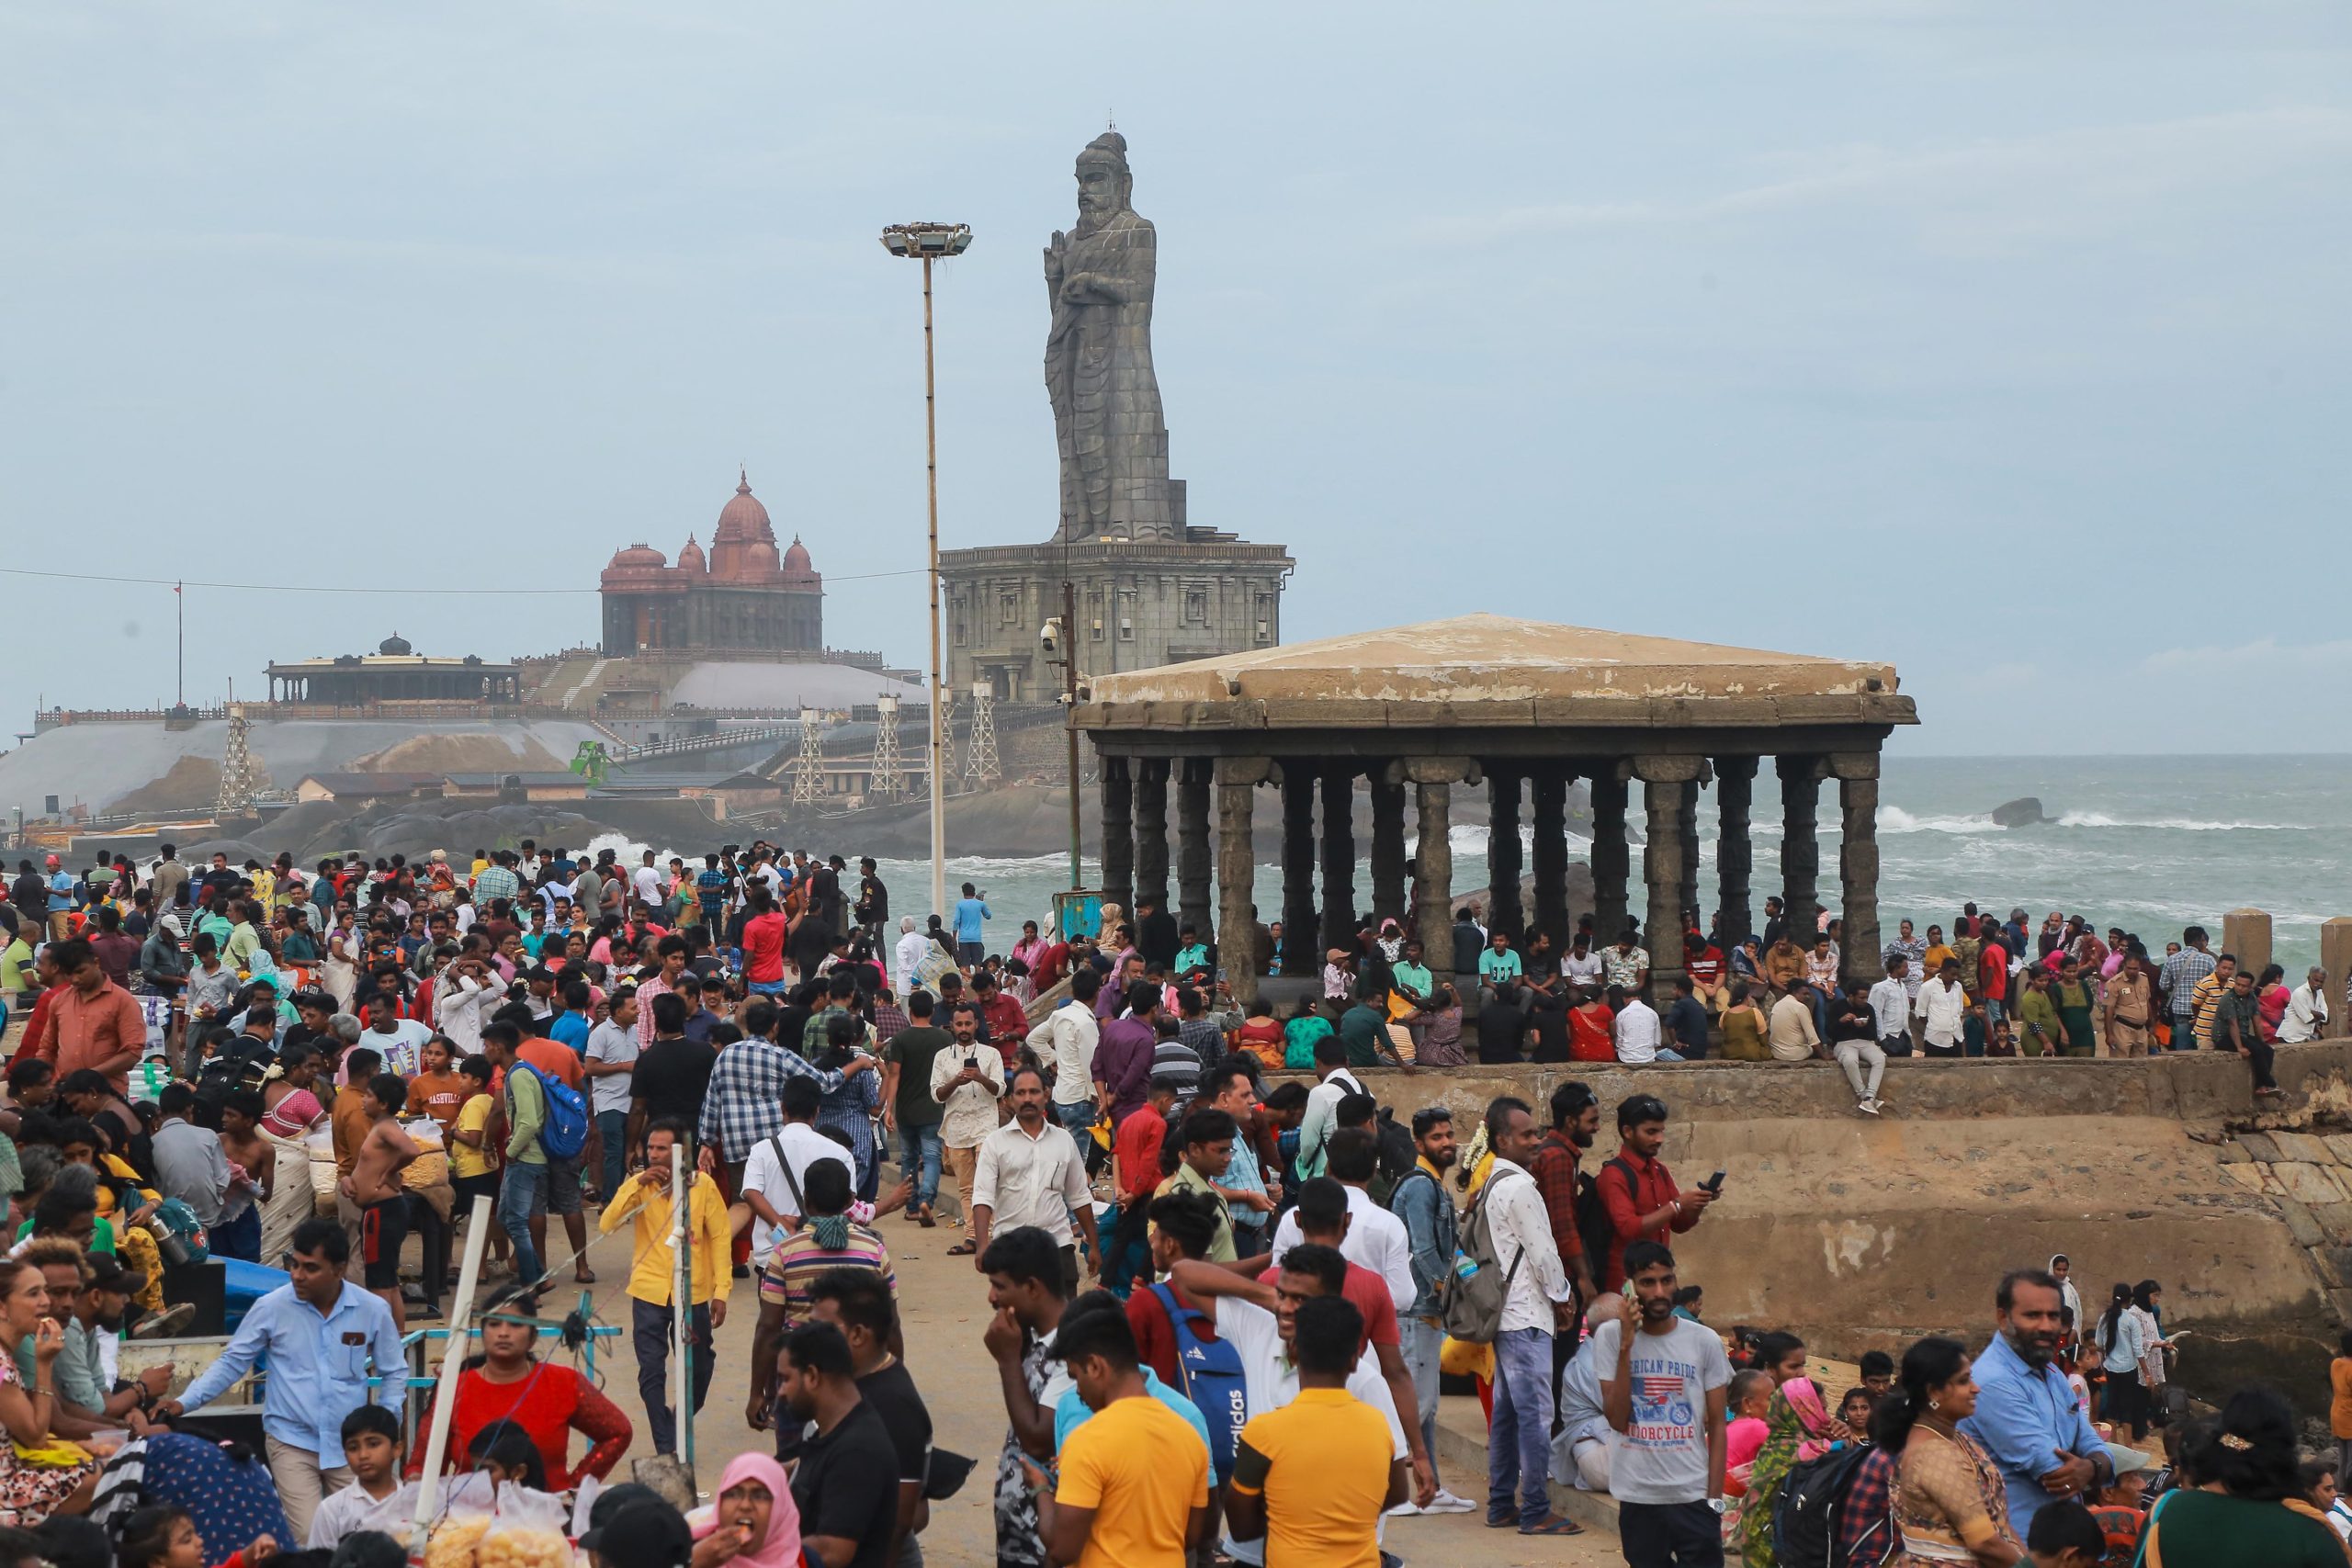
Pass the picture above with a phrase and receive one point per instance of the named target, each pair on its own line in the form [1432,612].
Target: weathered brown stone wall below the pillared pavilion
[1869,1233]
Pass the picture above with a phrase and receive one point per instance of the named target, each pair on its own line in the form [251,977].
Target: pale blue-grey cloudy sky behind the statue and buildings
[2005,342]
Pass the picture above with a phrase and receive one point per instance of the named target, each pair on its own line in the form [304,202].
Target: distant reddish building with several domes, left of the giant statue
[740,598]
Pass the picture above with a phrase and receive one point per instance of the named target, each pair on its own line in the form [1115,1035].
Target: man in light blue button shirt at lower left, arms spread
[323,1336]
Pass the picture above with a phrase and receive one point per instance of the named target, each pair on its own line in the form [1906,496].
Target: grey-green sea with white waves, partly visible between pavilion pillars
[2141,843]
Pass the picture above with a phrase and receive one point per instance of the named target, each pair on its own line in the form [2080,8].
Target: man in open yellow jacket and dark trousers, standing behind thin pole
[653,1273]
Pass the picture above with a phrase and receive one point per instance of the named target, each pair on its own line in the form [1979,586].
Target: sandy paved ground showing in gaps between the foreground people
[947,1306]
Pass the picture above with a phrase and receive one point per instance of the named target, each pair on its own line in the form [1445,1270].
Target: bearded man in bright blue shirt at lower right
[2026,1414]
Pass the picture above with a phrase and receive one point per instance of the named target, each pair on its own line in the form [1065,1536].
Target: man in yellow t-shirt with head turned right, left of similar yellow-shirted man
[1135,1480]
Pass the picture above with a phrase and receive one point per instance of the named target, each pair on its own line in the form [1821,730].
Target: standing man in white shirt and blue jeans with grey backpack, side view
[1537,1304]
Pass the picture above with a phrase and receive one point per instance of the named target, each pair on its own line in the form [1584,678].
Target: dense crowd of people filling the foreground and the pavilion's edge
[1222,1304]
